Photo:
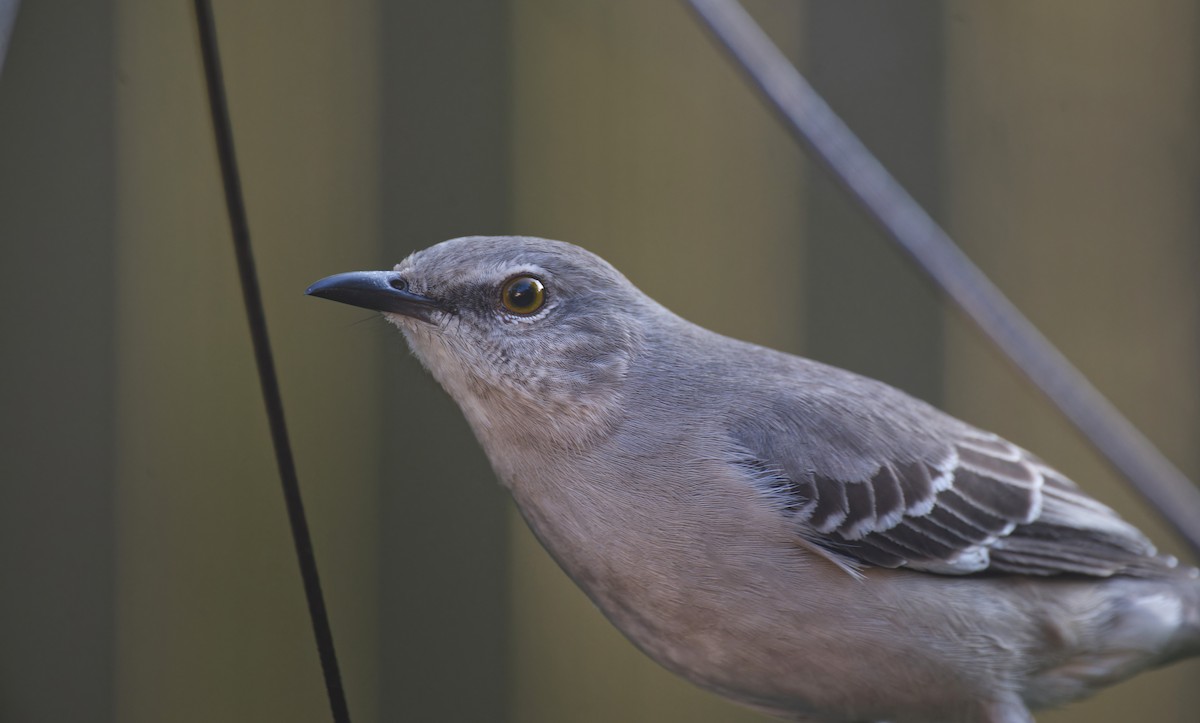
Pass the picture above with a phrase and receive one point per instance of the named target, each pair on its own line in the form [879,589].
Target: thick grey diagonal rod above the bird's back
[872,187]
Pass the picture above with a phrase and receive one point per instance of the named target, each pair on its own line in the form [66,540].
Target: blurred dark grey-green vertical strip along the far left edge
[57,401]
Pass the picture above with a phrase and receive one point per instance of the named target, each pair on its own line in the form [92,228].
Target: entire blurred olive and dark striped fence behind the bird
[146,564]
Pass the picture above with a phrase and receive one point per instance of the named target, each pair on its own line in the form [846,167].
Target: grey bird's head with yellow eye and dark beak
[524,333]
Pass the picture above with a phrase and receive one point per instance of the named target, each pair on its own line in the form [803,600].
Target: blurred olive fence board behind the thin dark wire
[211,617]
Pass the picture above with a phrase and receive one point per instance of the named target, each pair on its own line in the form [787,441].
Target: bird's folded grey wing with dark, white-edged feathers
[877,477]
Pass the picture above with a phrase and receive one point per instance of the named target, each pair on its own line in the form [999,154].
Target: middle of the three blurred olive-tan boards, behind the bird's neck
[637,140]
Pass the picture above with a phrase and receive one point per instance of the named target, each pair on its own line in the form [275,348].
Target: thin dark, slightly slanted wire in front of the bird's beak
[268,380]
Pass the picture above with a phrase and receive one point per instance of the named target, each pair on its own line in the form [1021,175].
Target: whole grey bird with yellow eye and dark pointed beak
[796,537]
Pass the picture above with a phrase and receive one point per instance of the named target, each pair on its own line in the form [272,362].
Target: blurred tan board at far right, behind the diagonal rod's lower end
[1073,170]
